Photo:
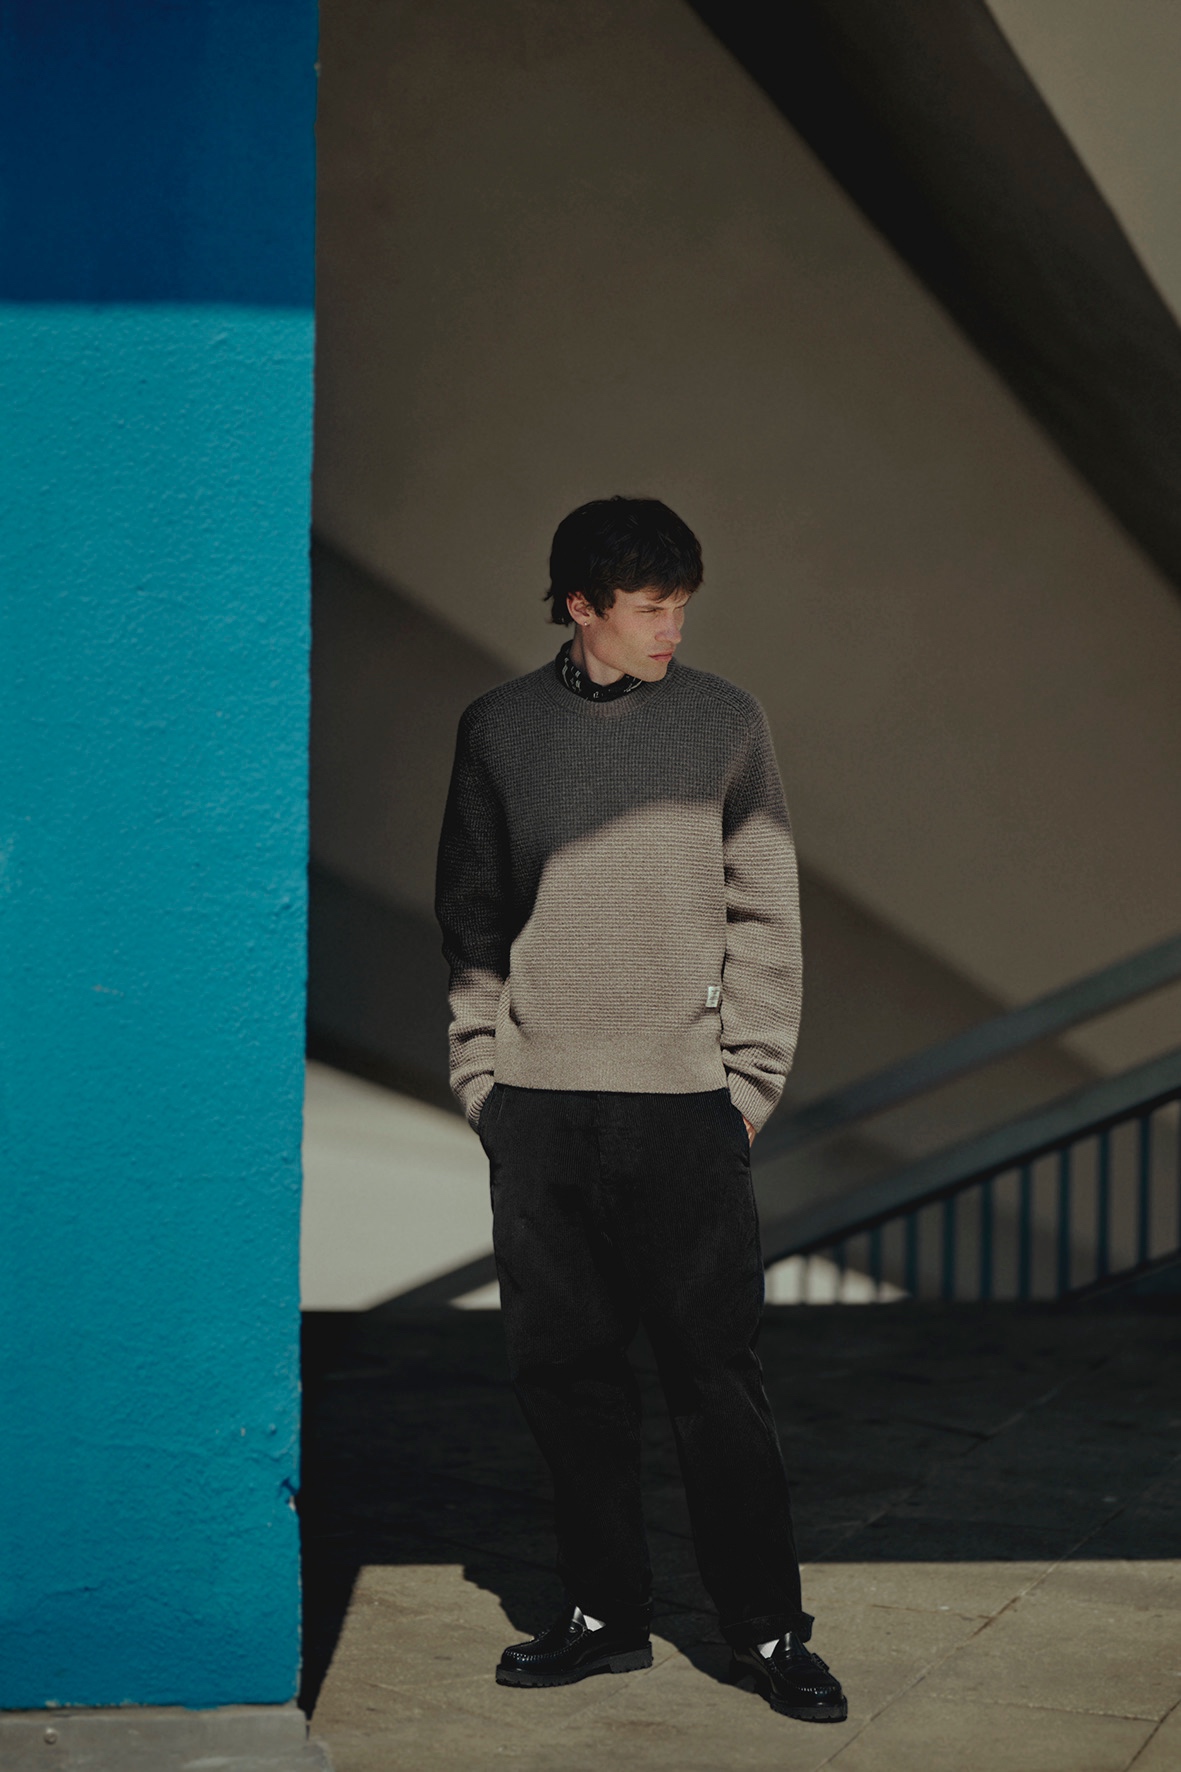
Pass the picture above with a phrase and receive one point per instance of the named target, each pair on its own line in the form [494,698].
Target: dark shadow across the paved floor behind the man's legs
[914,1434]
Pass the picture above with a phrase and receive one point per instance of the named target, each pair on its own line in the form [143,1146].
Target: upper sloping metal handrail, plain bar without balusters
[1075,1004]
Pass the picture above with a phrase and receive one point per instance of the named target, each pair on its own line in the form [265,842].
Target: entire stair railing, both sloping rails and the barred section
[1072,1199]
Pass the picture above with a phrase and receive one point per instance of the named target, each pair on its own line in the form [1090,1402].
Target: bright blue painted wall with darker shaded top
[157,352]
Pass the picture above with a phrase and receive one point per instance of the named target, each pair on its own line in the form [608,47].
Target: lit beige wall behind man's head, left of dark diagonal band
[574,251]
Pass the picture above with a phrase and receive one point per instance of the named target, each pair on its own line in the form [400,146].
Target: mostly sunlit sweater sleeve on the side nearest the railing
[763,979]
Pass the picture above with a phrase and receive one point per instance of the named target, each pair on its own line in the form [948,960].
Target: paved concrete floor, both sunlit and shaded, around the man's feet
[989,1509]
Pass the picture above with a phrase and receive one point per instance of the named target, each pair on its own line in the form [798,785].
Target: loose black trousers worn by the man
[614,1211]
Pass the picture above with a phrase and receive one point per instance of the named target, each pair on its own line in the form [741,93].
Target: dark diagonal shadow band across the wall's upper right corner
[935,128]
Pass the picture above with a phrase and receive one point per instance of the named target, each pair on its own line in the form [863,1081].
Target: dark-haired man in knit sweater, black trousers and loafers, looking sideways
[620,910]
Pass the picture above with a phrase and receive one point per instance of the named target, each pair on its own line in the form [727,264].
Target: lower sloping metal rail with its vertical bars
[1058,1130]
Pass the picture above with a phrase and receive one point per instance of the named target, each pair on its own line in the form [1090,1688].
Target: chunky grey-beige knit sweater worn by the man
[618,894]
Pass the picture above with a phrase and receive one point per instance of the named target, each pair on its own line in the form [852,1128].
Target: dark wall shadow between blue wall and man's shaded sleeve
[389,685]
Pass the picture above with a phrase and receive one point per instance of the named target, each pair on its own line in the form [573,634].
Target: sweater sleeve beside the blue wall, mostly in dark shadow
[473,906]
